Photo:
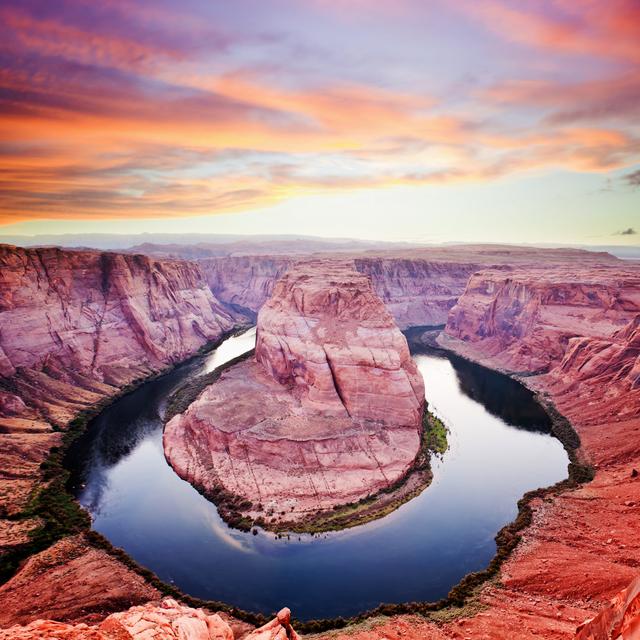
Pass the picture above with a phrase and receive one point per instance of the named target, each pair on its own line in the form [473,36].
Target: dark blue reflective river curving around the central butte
[500,447]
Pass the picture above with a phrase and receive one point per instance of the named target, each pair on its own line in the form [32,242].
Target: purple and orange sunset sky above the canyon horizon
[434,121]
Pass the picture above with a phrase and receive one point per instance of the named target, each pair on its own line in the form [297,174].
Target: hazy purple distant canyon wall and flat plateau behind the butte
[419,286]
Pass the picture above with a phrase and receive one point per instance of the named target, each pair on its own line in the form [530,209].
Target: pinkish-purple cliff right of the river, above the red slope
[523,319]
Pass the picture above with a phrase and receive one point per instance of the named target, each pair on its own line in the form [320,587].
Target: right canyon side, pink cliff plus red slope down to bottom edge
[582,547]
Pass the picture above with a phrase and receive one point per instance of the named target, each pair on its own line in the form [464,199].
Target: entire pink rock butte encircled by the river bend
[328,412]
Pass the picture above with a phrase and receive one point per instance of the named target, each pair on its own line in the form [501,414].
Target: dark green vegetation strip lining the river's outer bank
[62,515]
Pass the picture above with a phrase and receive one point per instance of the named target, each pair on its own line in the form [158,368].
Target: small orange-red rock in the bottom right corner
[620,620]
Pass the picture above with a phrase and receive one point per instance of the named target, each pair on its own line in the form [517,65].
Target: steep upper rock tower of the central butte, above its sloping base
[327,334]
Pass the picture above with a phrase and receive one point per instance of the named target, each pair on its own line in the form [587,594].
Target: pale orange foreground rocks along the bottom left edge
[167,620]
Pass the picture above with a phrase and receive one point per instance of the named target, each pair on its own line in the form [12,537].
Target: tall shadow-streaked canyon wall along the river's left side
[76,327]
